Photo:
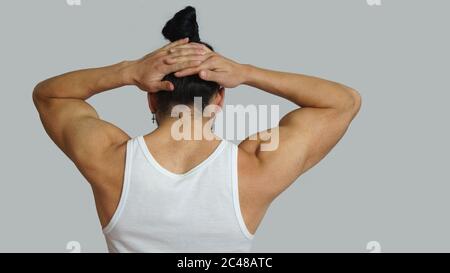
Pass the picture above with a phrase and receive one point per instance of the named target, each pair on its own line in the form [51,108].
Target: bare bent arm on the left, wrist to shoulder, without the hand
[71,122]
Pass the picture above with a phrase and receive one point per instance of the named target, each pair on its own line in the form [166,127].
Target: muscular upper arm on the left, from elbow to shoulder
[76,129]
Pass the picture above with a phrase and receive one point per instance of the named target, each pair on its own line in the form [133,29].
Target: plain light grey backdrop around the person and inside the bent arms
[387,180]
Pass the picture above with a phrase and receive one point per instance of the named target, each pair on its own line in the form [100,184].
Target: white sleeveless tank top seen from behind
[161,211]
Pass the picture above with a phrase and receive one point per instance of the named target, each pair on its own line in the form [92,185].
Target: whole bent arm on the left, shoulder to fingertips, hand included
[75,126]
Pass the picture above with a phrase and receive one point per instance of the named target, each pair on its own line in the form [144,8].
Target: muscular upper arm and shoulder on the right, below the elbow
[303,138]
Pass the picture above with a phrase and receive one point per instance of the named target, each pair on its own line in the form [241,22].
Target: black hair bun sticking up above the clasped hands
[183,24]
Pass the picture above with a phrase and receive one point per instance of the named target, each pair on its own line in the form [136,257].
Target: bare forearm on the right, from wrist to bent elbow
[305,91]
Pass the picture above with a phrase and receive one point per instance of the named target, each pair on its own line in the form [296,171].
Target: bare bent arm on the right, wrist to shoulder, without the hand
[305,135]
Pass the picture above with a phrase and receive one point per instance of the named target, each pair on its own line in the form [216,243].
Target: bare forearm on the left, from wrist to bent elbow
[85,83]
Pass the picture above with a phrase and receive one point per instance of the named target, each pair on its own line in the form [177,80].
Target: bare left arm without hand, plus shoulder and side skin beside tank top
[95,146]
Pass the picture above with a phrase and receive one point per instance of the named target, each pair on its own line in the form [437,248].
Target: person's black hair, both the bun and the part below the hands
[184,24]
